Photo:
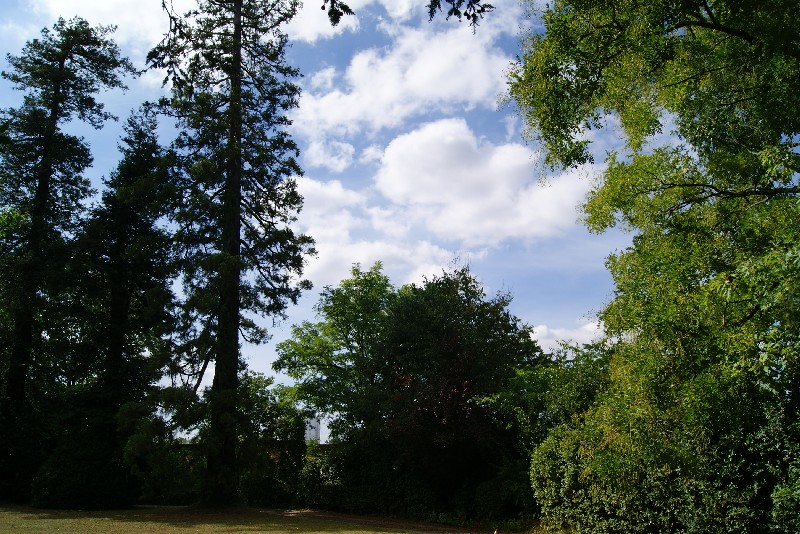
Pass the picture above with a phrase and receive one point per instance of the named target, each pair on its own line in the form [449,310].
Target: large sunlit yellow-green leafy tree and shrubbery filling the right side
[704,375]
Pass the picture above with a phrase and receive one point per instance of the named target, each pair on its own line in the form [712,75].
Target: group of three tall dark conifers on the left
[91,322]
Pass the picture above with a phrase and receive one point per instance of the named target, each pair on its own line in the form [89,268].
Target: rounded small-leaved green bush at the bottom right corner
[622,470]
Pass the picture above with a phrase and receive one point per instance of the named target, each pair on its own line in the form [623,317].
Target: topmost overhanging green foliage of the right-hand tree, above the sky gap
[709,67]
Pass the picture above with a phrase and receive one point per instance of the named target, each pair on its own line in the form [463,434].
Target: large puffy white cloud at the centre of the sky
[461,188]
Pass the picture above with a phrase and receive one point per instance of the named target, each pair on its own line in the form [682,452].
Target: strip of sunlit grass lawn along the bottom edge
[180,520]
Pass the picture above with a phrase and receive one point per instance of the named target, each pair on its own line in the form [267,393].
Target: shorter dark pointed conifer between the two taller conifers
[123,318]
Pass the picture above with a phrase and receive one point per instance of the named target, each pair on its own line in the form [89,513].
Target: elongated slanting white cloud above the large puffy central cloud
[422,71]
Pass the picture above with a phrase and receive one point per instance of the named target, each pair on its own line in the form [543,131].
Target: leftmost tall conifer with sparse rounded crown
[40,180]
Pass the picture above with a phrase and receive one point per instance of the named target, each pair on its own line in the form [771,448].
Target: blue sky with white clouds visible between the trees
[410,155]
